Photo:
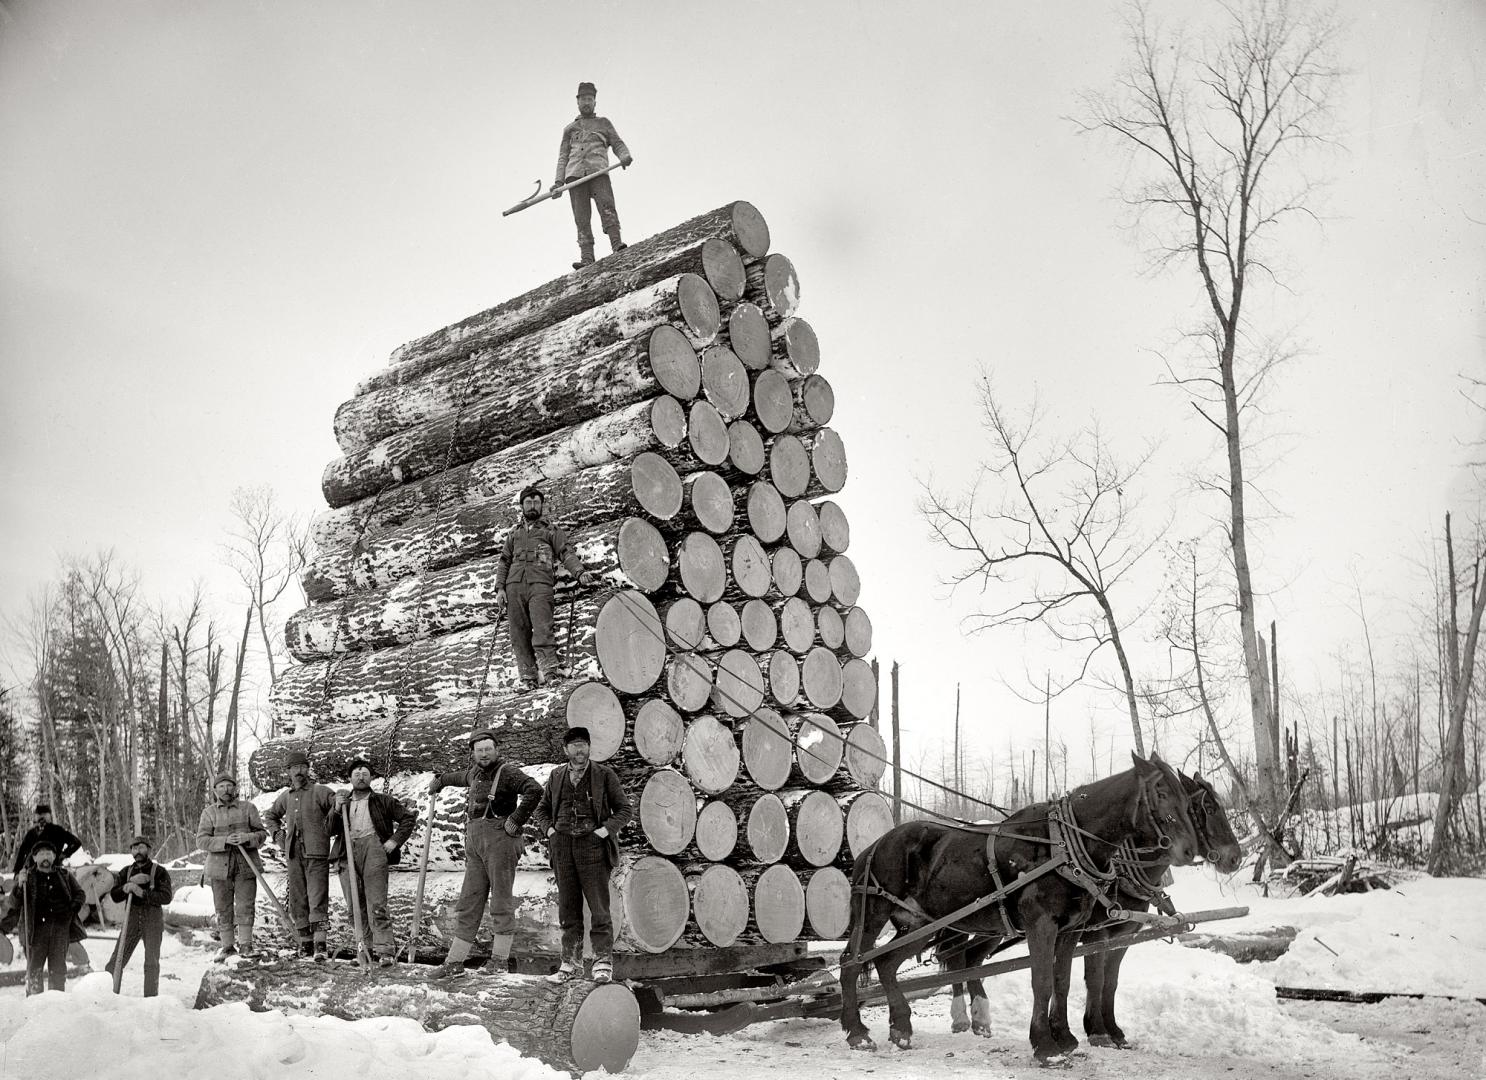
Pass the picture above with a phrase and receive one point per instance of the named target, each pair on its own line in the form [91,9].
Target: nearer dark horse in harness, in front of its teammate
[922,873]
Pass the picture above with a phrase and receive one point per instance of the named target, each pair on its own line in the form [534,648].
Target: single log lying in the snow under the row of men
[577,1026]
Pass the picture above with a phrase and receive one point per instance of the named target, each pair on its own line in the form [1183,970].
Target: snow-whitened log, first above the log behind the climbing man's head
[653,426]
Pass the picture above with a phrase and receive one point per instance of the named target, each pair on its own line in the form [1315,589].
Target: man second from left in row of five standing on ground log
[298,822]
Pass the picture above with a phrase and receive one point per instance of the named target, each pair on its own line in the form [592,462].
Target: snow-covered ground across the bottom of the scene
[1191,1014]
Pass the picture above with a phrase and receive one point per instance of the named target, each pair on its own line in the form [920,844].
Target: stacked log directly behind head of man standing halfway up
[467,531]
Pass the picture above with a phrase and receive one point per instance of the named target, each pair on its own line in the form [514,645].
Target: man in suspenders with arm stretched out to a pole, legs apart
[502,798]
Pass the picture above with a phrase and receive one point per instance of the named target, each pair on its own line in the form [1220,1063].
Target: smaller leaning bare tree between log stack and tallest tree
[1062,533]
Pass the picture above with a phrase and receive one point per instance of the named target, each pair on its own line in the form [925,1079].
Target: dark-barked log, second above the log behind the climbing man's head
[589,387]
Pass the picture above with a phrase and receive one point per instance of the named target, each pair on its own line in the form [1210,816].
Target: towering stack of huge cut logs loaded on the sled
[668,402]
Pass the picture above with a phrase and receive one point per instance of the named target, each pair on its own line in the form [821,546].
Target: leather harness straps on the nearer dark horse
[1069,859]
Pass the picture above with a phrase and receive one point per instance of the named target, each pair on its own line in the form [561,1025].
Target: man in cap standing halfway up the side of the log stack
[524,579]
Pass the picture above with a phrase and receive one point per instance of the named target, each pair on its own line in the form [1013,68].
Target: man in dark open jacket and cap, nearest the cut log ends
[582,812]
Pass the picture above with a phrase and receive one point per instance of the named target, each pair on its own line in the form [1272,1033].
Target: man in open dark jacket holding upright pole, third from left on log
[380,827]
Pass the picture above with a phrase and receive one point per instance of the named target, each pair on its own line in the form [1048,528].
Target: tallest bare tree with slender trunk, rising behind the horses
[1219,133]
